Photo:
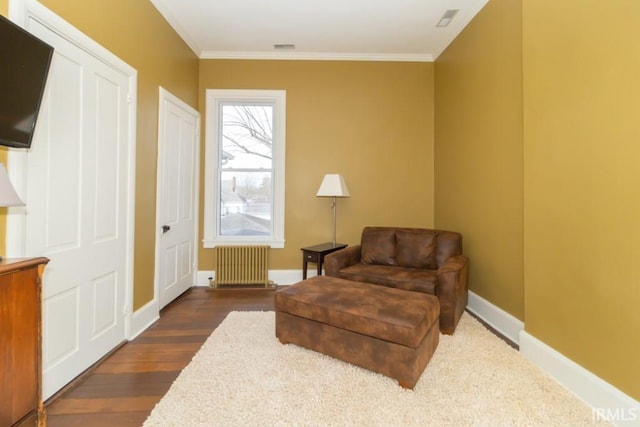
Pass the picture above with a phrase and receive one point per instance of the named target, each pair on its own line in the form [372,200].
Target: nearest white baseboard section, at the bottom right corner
[607,402]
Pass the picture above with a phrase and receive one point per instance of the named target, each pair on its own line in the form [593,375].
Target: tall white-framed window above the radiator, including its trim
[244,167]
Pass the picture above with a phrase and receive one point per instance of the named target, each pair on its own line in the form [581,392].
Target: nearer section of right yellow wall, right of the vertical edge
[582,210]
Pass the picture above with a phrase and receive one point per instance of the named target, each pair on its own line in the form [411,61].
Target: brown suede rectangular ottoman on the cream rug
[390,331]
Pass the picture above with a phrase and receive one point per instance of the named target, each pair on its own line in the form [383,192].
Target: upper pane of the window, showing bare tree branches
[247,132]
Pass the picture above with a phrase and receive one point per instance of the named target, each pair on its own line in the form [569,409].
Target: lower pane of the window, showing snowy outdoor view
[245,203]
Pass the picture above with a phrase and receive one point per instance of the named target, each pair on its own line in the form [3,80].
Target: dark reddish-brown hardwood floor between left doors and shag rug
[123,388]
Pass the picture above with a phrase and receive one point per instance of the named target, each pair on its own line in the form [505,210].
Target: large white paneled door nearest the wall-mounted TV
[79,209]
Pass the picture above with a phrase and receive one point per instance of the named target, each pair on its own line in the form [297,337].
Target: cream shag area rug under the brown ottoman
[243,376]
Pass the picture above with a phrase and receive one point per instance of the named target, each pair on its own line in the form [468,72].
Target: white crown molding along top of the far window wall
[318,56]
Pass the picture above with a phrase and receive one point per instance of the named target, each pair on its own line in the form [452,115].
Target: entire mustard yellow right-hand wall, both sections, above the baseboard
[548,171]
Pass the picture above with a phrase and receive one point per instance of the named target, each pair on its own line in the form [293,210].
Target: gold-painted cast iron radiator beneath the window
[242,265]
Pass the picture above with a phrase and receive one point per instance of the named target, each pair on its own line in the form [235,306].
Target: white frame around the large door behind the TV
[20,11]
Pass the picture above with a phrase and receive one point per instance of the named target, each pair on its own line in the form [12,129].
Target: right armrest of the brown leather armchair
[452,291]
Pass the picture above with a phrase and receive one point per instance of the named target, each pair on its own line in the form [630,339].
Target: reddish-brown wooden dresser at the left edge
[21,341]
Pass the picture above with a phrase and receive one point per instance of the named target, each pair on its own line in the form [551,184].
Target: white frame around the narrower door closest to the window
[166,96]
